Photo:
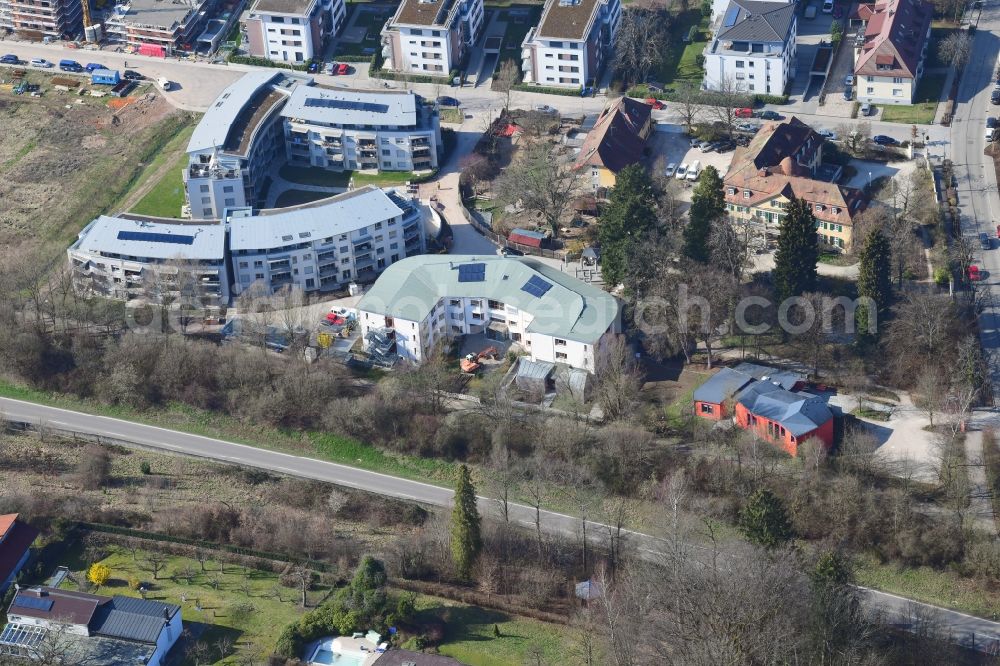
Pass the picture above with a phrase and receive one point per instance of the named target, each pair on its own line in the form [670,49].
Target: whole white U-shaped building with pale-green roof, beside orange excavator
[423,300]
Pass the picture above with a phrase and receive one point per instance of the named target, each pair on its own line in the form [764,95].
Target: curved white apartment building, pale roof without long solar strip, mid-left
[327,244]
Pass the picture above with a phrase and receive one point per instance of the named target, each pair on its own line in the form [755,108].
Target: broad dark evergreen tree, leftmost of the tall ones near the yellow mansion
[626,221]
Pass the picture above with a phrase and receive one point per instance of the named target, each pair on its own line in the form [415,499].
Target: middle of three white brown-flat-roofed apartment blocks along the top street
[431,37]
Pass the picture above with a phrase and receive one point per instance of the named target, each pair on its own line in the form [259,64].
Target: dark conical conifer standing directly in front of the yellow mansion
[795,260]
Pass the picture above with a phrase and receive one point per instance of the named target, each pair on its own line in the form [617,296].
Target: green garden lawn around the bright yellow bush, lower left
[227,611]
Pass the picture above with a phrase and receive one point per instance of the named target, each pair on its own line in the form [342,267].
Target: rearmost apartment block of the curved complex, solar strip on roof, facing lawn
[341,129]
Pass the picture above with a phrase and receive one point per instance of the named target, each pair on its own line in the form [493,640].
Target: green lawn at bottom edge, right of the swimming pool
[469,635]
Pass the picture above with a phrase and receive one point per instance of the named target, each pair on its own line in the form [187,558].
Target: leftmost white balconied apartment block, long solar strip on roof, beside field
[132,257]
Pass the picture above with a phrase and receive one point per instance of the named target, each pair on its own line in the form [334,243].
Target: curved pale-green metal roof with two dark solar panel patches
[571,309]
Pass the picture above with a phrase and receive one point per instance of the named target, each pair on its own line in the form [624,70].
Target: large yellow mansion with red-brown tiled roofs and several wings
[779,164]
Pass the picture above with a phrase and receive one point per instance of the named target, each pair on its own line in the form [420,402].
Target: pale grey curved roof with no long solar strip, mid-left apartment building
[336,215]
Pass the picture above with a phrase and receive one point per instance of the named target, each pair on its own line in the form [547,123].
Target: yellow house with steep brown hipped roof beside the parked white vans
[617,140]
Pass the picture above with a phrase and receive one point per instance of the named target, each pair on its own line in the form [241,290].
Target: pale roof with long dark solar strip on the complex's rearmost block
[352,107]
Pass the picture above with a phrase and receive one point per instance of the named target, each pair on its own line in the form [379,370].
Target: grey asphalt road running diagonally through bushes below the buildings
[965,629]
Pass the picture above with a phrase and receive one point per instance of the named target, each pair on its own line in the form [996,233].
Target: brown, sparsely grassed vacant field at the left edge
[66,158]
